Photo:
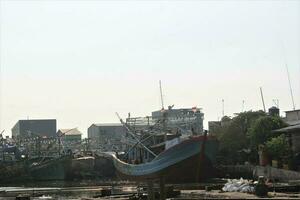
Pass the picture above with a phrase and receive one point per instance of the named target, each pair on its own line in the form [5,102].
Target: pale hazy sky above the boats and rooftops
[81,61]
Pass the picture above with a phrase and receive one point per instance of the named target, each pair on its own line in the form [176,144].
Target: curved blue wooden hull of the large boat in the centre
[189,161]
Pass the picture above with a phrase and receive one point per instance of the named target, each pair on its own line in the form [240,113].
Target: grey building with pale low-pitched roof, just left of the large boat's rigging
[107,136]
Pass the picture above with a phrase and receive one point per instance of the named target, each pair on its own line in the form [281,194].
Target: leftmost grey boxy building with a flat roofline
[31,128]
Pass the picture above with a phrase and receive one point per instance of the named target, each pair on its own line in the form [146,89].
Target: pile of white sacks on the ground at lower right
[240,185]
